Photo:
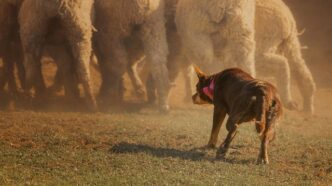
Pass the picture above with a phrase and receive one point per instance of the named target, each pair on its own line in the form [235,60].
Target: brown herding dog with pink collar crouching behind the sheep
[243,98]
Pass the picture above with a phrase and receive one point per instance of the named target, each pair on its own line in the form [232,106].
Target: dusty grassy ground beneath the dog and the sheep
[143,147]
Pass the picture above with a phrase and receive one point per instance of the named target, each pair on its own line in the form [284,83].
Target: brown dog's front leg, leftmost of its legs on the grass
[219,114]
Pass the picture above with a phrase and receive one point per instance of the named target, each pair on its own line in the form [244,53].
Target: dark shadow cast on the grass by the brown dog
[123,148]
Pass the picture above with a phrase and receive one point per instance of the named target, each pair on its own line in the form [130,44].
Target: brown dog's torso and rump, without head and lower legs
[255,99]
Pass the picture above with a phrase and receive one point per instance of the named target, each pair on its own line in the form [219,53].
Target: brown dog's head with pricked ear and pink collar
[204,88]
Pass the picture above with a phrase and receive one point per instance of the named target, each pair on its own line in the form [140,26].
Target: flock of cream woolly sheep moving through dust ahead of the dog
[259,36]
